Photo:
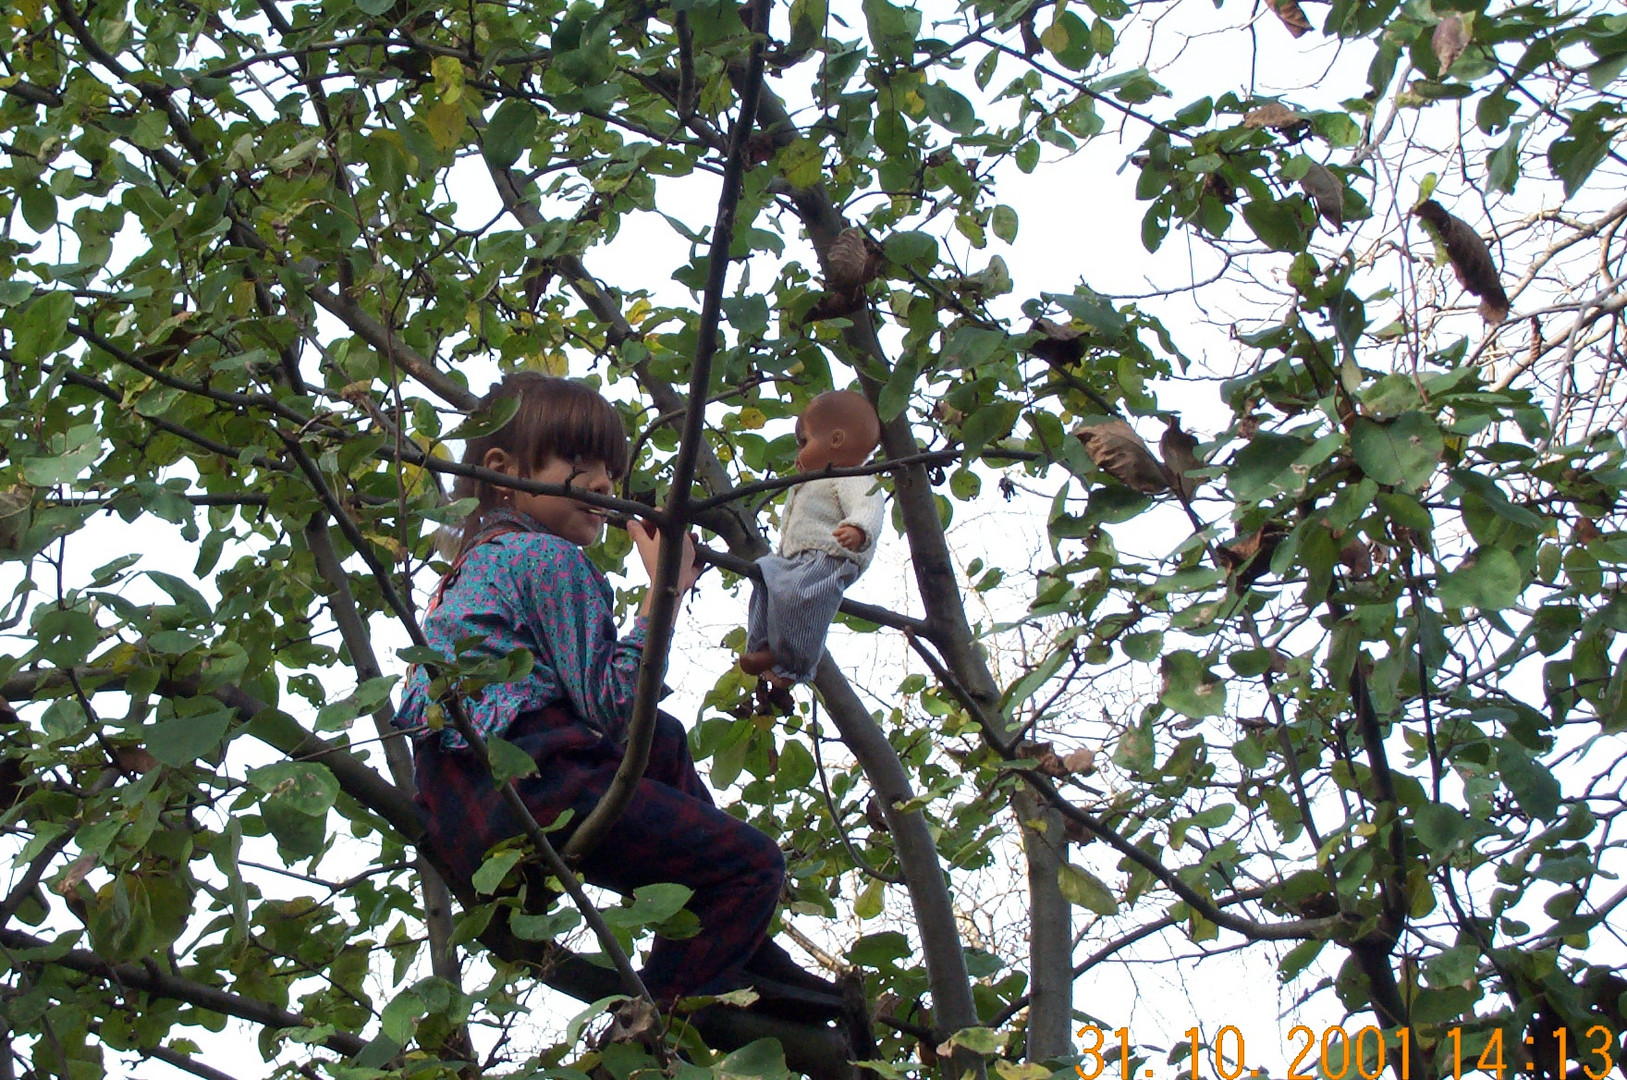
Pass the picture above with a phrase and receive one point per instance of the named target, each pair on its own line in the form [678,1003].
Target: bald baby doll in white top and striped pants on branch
[827,538]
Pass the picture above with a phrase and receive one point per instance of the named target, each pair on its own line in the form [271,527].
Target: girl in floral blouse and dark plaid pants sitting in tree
[521,580]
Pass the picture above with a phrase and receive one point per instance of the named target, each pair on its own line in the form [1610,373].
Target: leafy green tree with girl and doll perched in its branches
[243,292]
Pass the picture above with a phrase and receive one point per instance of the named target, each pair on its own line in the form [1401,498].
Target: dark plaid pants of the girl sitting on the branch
[671,832]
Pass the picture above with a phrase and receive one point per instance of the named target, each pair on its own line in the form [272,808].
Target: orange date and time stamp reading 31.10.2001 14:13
[1338,1055]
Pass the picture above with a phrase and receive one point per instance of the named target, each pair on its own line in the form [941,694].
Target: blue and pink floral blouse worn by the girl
[526,588]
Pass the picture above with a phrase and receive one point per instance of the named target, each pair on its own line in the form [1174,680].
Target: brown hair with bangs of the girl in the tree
[557,419]
